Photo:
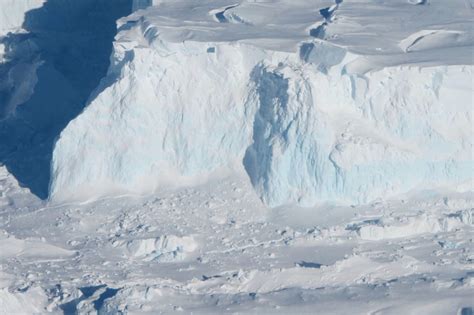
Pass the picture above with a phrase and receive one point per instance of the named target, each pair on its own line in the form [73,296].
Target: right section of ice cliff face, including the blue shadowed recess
[320,137]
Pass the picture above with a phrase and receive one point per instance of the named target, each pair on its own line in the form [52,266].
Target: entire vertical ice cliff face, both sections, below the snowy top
[302,134]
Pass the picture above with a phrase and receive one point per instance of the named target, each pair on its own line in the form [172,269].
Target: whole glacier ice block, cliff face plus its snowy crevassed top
[310,115]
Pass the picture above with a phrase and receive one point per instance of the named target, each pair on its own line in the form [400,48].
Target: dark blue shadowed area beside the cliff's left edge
[48,77]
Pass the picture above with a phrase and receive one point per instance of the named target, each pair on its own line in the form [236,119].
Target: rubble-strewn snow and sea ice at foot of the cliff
[215,248]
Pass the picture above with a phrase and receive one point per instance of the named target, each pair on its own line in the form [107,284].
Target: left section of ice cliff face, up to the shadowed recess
[157,123]
